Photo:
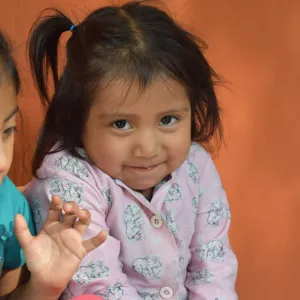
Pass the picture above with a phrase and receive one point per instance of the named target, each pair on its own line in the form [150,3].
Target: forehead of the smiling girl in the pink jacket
[121,96]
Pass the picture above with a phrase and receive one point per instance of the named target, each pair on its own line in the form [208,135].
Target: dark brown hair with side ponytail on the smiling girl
[135,40]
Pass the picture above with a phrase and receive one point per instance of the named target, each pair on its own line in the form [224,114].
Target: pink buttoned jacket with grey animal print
[174,247]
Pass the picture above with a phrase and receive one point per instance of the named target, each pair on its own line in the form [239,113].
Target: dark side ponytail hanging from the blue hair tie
[43,50]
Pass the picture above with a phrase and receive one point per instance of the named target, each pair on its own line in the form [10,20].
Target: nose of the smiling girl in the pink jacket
[147,144]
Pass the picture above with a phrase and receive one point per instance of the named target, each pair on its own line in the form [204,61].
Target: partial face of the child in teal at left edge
[8,111]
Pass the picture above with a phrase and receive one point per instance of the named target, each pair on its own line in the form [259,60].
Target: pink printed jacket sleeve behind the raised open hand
[100,272]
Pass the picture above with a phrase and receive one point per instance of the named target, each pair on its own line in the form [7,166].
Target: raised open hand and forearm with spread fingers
[54,254]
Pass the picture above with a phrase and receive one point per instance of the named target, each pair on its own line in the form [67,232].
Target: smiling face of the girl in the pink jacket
[139,138]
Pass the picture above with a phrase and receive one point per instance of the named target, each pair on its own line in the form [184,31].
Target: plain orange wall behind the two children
[256,46]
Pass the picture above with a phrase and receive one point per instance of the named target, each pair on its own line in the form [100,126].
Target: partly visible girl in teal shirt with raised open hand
[53,256]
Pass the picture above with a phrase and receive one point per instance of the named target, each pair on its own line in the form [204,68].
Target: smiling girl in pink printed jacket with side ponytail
[119,138]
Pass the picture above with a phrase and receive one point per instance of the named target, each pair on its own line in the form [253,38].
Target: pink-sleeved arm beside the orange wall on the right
[213,266]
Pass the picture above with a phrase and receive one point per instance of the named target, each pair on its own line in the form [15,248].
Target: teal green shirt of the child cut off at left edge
[12,202]
